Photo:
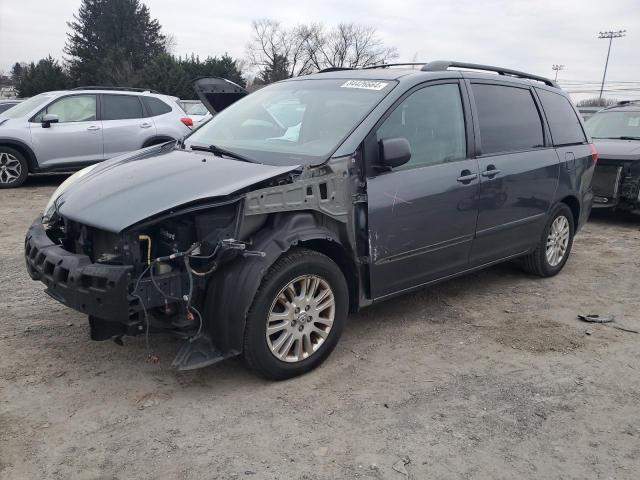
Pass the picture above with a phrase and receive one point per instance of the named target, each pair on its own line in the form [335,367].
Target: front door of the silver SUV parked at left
[77,137]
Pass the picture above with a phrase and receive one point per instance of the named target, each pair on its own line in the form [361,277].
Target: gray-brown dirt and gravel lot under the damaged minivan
[488,376]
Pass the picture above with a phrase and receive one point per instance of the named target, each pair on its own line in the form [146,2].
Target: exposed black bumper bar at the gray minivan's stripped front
[98,290]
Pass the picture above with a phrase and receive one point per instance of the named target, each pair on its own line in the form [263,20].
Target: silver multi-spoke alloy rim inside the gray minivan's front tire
[300,318]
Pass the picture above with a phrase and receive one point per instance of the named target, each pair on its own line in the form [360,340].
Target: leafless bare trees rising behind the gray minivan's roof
[281,52]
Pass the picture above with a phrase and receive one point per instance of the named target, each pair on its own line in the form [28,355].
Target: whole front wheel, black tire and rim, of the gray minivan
[297,315]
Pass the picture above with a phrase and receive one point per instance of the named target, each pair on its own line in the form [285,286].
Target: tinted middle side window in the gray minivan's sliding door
[509,119]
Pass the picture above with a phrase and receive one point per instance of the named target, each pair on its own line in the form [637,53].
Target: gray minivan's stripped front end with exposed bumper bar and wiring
[149,278]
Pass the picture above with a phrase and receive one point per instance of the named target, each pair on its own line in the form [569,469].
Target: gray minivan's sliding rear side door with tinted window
[519,171]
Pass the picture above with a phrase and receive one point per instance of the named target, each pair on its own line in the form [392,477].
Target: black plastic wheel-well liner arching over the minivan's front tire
[231,291]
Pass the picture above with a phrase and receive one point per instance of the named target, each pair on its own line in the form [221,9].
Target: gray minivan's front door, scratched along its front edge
[422,215]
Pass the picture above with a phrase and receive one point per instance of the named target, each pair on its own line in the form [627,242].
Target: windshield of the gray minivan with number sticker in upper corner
[294,122]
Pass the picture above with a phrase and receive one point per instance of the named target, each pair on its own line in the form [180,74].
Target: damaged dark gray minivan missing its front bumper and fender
[257,234]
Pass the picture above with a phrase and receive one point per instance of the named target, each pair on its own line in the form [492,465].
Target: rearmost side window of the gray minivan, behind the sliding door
[562,119]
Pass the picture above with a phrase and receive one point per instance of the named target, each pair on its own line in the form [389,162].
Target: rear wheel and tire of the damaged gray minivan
[554,246]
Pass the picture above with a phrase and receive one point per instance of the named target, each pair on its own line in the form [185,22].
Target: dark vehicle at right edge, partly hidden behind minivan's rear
[616,133]
